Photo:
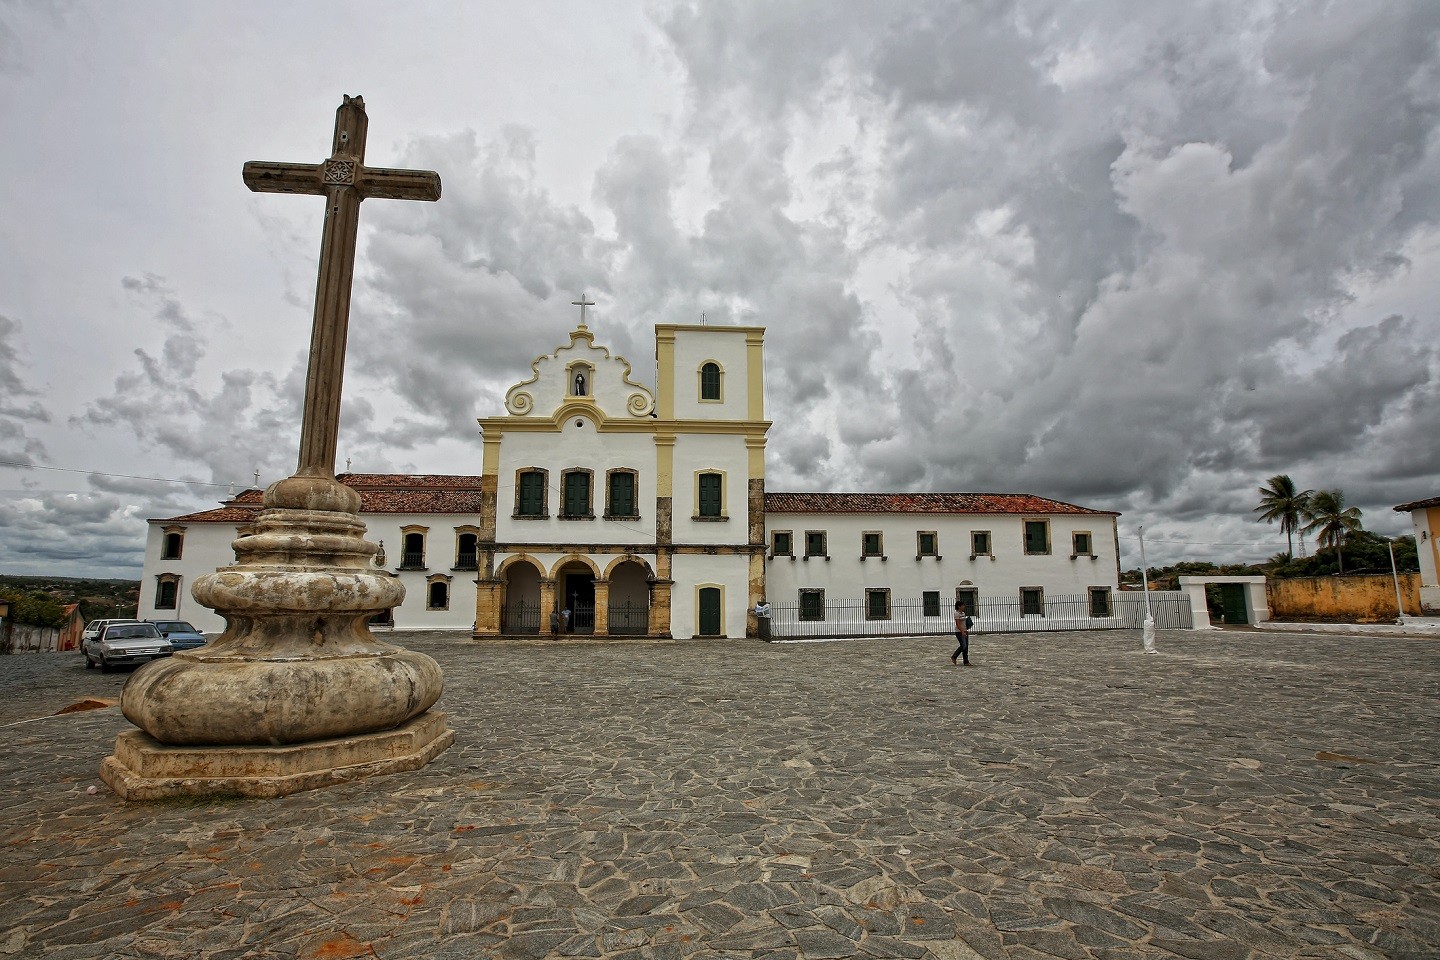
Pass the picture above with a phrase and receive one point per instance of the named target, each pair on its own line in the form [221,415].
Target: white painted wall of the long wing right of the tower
[847,576]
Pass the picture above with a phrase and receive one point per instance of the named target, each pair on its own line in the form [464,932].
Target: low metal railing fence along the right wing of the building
[994,615]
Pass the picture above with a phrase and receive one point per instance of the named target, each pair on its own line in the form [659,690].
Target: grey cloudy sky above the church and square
[1134,255]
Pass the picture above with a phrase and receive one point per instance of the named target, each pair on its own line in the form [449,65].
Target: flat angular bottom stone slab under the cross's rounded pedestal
[145,769]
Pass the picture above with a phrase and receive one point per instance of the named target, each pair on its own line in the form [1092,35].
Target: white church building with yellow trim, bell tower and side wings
[631,512]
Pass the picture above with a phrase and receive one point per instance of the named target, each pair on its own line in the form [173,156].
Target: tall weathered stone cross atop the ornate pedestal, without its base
[345,182]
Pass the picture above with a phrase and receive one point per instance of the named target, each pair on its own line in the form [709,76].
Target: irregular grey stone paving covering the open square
[1239,795]
